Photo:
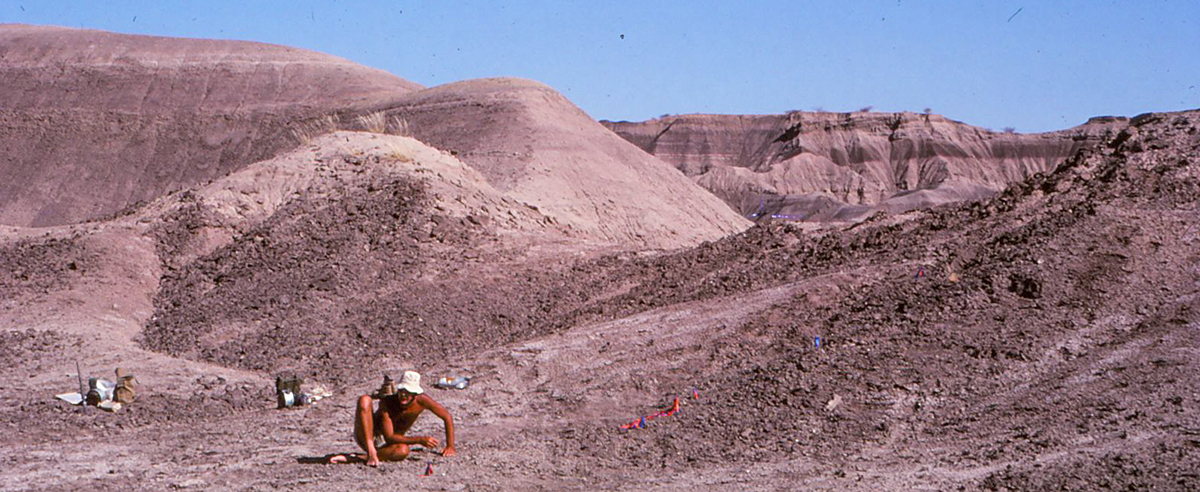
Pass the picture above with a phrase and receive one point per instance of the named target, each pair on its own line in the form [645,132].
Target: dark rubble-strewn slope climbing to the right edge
[1040,340]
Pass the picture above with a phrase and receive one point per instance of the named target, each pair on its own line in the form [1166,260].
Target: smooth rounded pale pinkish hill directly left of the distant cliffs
[538,148]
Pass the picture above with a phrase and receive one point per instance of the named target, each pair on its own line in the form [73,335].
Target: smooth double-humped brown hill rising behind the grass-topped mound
[100,122]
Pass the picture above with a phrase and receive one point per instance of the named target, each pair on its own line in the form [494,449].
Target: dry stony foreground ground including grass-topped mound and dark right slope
[1046,339]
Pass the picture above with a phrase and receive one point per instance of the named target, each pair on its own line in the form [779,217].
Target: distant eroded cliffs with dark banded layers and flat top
[847,166]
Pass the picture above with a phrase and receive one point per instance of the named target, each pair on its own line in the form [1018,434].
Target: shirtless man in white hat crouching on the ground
[381,433]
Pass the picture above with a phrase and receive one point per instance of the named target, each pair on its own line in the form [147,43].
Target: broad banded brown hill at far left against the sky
[93,122]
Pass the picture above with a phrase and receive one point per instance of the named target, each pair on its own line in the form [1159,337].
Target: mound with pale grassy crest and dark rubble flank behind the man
[358,251]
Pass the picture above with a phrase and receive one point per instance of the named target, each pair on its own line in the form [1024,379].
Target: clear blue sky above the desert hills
[1035,67]
